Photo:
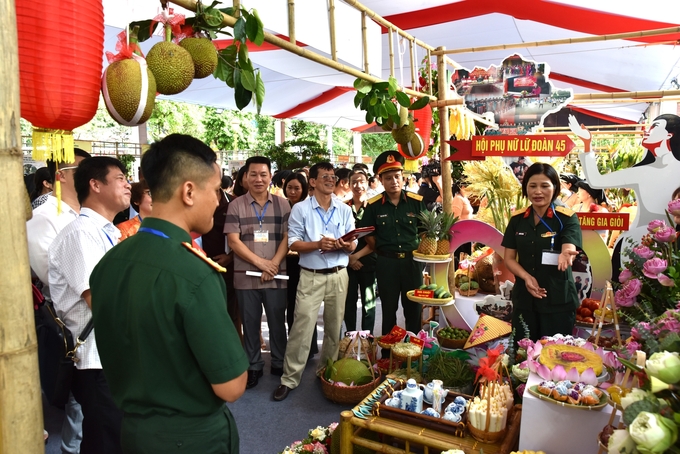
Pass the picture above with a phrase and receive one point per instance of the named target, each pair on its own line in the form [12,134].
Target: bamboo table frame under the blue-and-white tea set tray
[410,435]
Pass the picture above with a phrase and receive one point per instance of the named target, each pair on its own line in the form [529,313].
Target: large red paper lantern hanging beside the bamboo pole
[61,47]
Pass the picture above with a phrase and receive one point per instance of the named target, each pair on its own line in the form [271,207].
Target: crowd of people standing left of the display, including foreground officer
[177,291]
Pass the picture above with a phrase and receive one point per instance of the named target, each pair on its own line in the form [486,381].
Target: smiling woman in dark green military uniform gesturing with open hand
[540,245]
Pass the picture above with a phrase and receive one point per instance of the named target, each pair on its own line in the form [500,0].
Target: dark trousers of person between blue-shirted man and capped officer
[364,282]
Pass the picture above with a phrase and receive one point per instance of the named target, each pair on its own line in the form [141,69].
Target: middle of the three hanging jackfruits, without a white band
[172,66]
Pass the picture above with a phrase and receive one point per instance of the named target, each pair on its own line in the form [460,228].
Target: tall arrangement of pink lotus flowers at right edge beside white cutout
[648,280]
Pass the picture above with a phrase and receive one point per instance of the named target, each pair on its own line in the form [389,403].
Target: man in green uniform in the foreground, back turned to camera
[169,350]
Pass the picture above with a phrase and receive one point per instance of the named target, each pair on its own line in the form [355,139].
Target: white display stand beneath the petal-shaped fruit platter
[559,430]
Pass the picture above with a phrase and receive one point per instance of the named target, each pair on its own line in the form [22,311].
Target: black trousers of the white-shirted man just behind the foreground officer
[101,418]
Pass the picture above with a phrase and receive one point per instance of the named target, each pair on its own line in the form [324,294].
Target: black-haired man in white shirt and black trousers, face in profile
[103,191]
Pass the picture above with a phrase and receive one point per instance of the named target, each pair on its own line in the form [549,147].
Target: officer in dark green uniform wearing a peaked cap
[394,216]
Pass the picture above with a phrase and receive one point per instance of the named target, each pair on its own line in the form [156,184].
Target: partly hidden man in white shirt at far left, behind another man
[41,229]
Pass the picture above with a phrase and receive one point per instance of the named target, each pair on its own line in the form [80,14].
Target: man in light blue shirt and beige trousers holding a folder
[315,228]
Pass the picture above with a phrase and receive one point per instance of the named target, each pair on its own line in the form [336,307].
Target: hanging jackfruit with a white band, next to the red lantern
[122,85]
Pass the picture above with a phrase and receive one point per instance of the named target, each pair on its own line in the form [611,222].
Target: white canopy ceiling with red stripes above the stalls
[299,88]
